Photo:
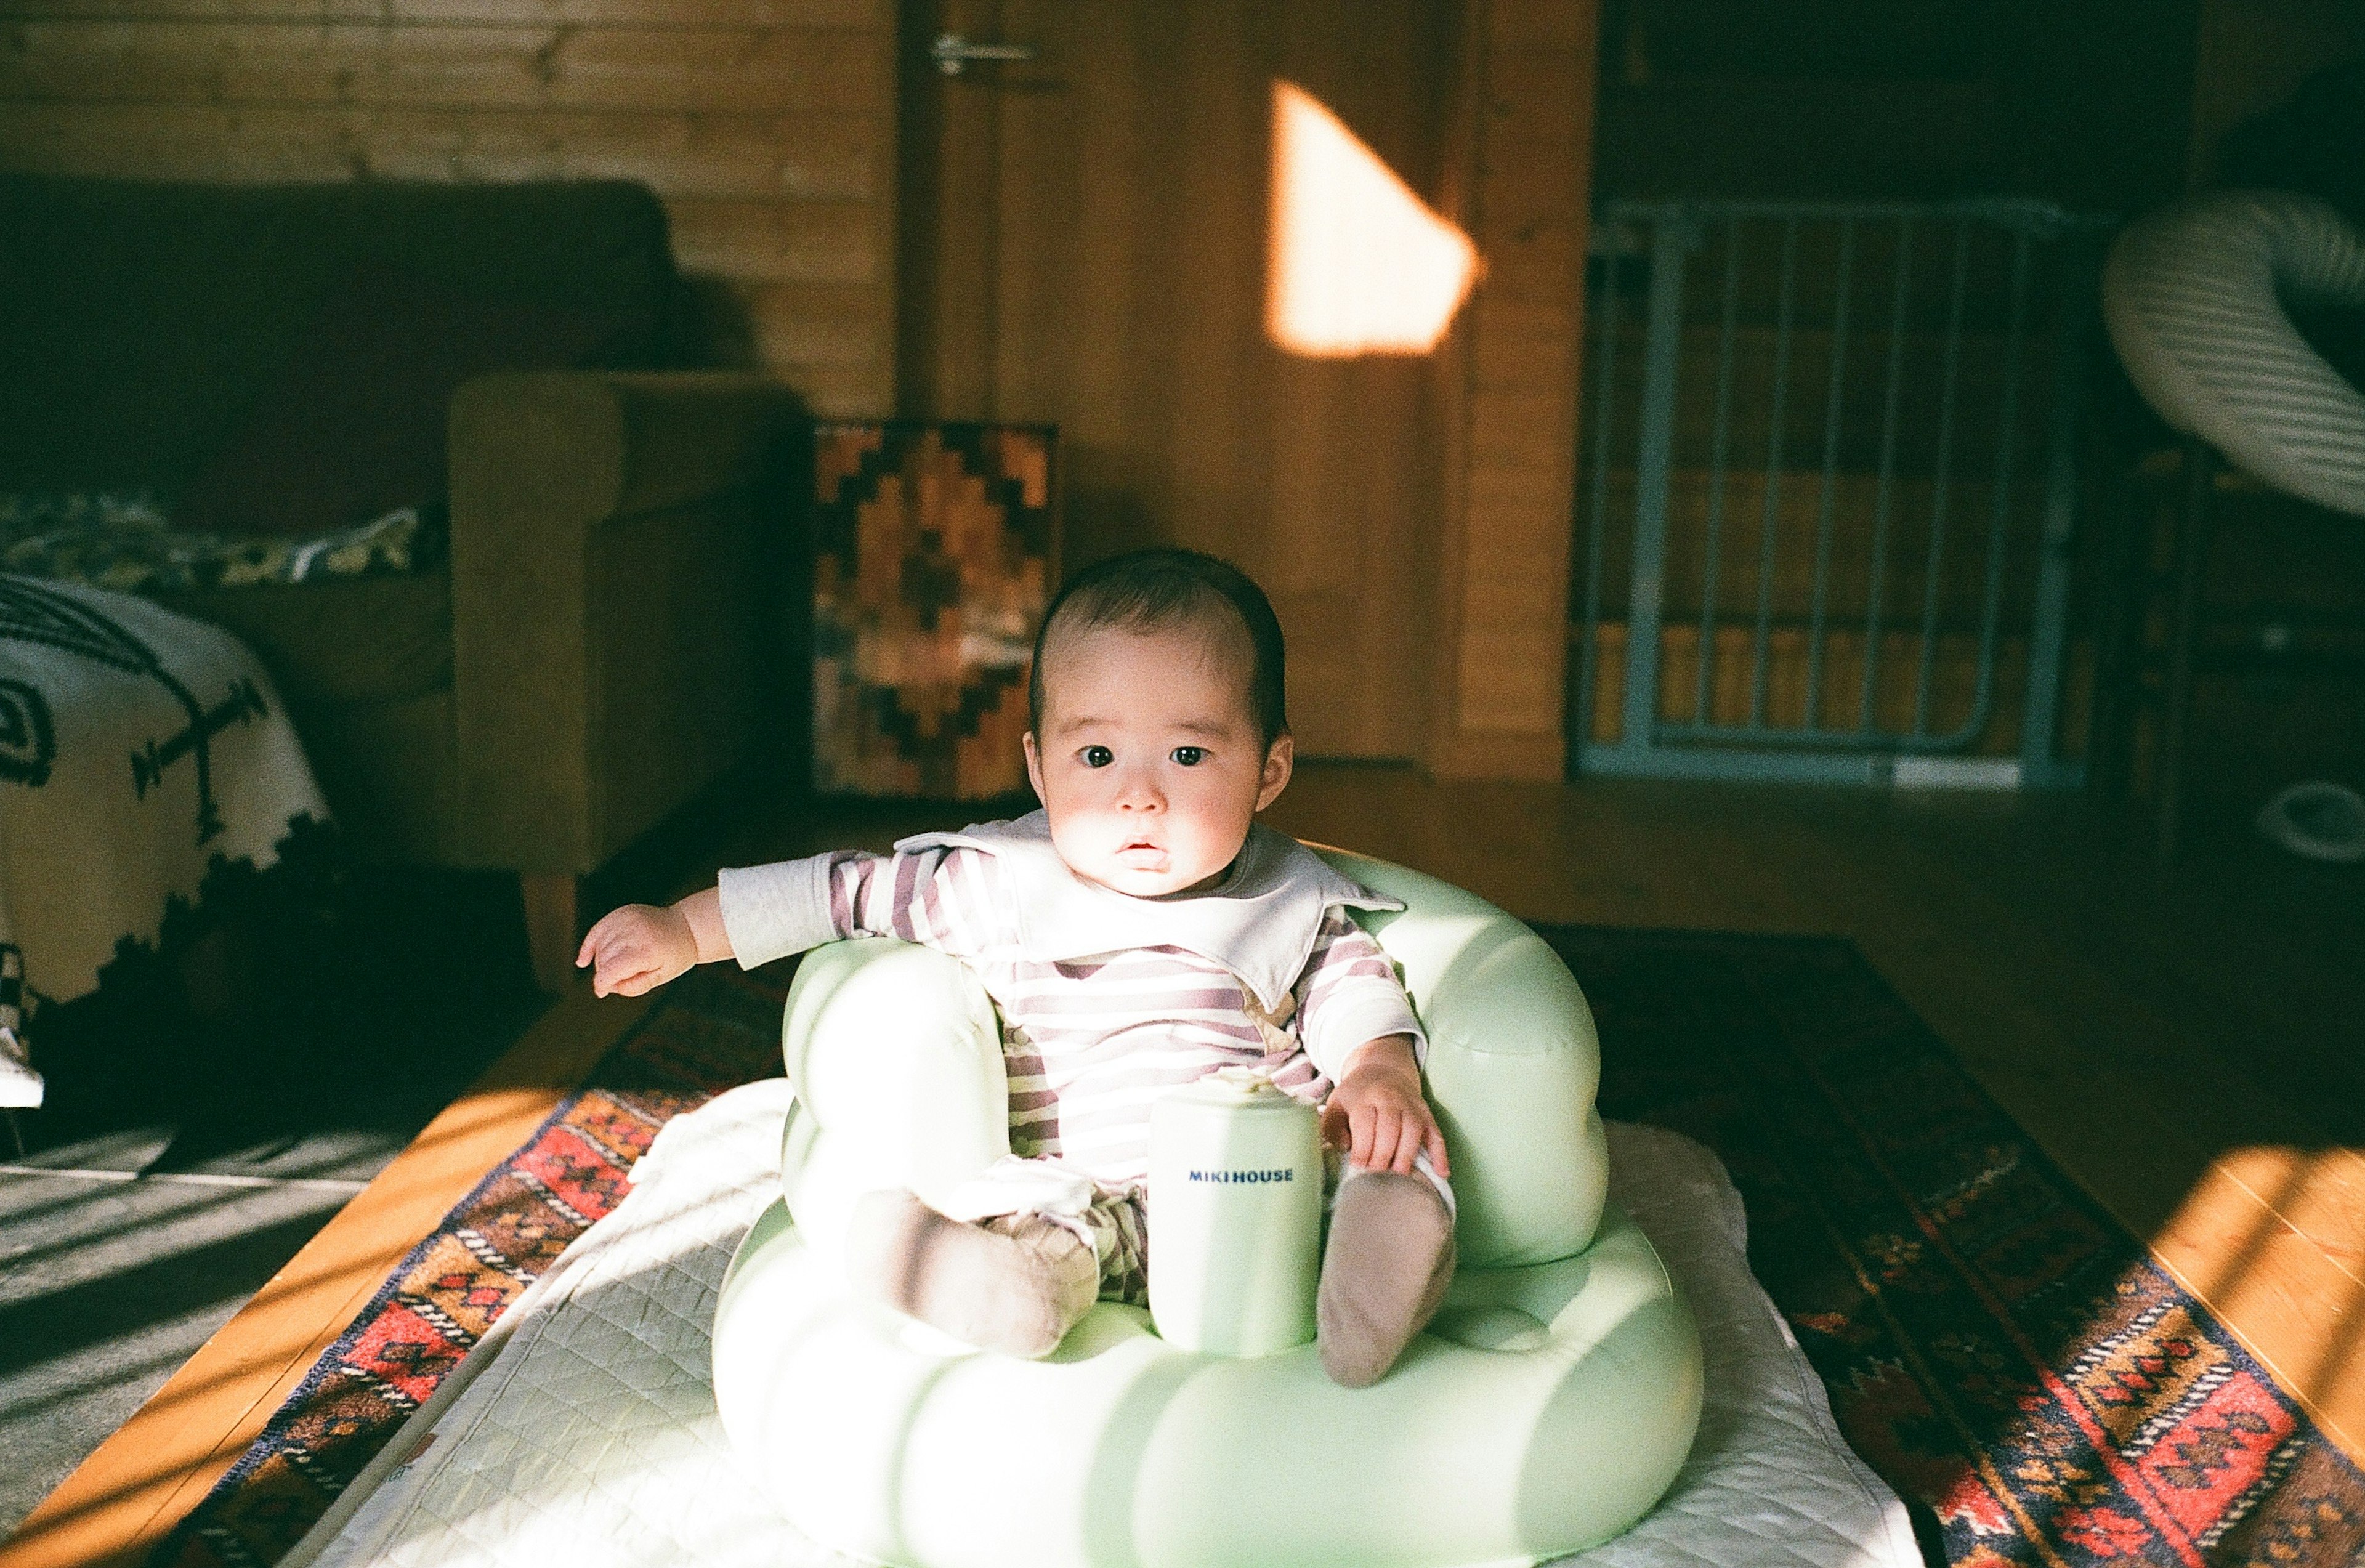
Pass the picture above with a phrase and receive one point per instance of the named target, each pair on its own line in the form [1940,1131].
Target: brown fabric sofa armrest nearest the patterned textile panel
[604,602]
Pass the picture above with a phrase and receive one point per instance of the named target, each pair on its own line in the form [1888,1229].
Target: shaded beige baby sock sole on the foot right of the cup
[1392,1255]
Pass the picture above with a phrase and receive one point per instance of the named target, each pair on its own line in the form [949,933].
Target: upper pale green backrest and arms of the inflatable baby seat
[895,1054]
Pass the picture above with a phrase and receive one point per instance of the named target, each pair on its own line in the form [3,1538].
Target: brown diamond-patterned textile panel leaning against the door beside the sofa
[935,557]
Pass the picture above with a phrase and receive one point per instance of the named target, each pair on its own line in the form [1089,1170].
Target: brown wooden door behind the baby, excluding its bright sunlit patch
[1108,271]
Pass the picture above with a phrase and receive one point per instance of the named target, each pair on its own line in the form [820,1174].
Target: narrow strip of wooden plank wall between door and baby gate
[1510,389]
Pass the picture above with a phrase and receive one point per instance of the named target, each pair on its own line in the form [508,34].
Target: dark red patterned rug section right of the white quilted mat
[1995,1345]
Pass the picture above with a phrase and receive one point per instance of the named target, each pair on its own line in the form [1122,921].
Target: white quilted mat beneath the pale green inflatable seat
[583,1430]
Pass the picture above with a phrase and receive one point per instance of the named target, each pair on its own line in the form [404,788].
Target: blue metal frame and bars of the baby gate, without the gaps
[1659,746]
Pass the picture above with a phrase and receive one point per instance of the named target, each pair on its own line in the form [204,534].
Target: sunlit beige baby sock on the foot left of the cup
[1013,1285]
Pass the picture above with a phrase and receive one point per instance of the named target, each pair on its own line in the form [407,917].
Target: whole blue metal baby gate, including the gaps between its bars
[1827,491]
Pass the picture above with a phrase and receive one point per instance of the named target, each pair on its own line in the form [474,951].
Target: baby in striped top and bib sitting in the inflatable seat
[1136,933]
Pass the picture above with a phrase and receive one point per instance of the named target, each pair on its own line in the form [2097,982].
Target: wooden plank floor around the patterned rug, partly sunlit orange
[2189,1049]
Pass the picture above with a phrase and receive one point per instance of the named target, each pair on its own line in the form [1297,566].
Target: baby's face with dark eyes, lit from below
[1151,765]
